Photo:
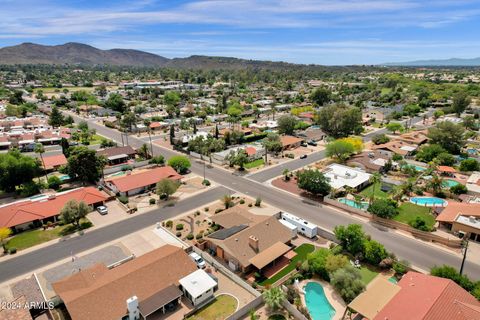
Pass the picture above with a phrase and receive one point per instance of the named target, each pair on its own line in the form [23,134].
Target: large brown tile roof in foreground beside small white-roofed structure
[100,293]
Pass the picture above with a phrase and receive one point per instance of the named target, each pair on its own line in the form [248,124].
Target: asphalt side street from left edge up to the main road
[29,262]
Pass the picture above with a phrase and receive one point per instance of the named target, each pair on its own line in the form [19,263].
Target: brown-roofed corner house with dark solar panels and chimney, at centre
[245,245]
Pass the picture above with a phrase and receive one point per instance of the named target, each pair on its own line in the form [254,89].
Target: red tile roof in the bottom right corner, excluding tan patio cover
[430,298]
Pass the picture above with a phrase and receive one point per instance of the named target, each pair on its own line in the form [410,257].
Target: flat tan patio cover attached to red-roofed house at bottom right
[379,292]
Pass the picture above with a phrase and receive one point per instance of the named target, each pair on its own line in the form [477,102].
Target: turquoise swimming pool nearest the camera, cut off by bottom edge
[317,303]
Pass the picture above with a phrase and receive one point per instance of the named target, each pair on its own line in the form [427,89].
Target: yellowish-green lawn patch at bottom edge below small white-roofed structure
[222,307]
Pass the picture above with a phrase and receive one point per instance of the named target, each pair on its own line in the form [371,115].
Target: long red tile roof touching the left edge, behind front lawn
[26,211]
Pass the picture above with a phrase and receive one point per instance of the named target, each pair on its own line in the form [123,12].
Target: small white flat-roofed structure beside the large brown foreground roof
[198,287]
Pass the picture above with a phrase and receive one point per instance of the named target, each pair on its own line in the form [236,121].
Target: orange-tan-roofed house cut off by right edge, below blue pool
[460,217]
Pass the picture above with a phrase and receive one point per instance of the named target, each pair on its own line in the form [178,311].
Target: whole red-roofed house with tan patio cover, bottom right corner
[416,296]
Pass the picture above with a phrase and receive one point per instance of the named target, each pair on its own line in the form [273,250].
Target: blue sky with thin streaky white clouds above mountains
[336,32]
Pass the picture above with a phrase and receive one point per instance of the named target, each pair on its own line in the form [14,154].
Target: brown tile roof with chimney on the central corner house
[267,232]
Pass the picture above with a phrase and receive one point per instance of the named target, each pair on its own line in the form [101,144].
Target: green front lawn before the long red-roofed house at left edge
[31,238]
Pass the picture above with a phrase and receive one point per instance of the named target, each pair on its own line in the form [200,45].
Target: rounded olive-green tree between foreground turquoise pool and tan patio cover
[348,283]
